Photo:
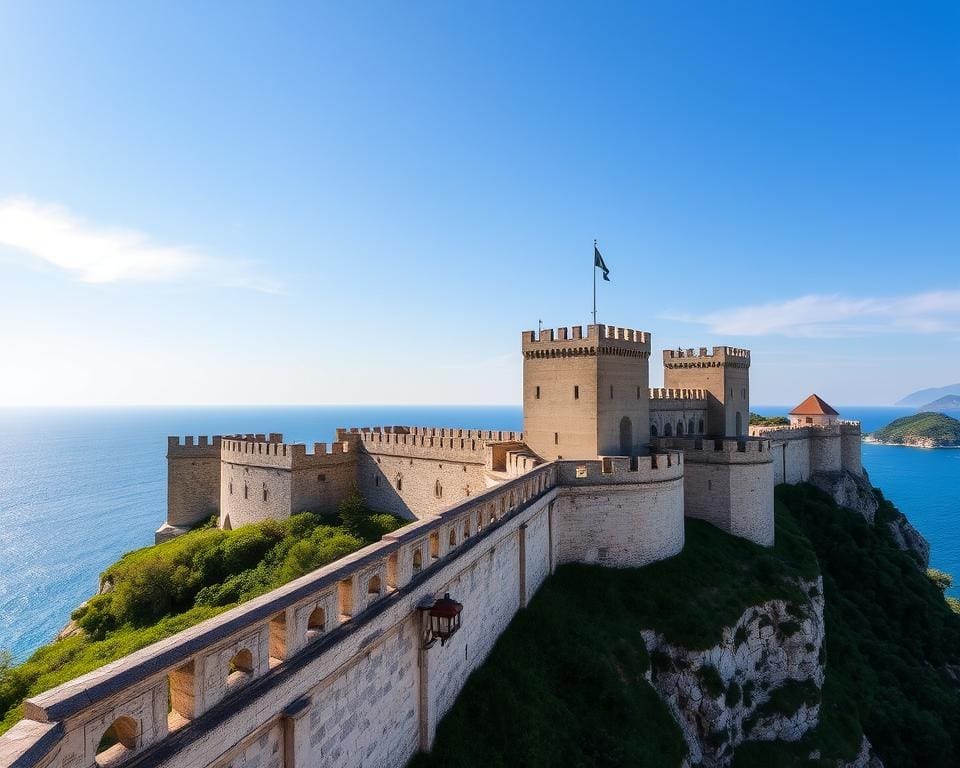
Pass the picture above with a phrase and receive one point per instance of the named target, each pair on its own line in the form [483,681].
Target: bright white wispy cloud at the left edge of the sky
[97,254]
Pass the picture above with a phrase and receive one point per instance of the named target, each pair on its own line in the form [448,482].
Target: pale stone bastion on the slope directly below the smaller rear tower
[728,482]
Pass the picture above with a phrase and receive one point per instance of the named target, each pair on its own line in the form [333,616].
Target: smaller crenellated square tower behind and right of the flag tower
[724,374]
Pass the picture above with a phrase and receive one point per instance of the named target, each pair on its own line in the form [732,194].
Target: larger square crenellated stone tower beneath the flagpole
[586,396]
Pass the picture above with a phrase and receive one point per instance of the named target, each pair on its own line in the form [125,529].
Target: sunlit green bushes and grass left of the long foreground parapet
[160,590]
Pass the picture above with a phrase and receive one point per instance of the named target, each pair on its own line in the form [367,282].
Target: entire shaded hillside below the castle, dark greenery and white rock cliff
[571,682]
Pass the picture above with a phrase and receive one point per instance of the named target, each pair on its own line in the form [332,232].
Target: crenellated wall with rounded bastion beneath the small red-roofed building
[800,452]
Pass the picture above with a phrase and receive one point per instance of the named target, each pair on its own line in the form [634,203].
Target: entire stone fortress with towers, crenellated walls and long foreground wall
[338,668]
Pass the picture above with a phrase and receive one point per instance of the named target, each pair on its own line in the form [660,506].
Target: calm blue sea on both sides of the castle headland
[79,487]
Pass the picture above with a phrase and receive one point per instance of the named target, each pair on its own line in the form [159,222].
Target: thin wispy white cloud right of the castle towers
[838,316]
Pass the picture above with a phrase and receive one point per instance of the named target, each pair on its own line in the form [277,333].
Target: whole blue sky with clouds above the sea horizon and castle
[367,202]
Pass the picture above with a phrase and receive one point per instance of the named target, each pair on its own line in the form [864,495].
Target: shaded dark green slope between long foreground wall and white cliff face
[564,684]
